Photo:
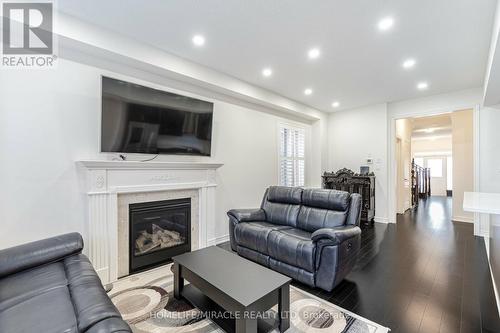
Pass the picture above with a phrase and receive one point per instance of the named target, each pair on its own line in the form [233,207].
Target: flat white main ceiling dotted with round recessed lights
[359,65]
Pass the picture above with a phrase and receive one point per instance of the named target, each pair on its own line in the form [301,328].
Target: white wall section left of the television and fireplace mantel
[48,120]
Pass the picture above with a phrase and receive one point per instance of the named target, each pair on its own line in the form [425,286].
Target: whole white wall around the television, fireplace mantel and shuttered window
[50,118]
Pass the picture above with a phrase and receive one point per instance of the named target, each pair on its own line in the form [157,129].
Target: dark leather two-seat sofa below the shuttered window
[311,235]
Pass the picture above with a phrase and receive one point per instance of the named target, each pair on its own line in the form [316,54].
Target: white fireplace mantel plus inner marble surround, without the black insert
[111,186]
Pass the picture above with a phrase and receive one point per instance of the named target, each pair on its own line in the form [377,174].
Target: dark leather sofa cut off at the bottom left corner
[48,286]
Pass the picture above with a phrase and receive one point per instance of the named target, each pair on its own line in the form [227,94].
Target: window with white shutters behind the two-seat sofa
[292,153]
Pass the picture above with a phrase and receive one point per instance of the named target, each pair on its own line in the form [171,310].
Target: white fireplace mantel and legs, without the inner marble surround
[106,180]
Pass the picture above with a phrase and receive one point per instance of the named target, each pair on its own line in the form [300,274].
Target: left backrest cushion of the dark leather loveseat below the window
[282,205]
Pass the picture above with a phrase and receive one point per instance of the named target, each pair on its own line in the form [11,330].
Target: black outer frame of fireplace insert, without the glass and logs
[139,263]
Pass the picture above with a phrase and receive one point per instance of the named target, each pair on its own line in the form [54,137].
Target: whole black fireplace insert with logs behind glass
[159,230]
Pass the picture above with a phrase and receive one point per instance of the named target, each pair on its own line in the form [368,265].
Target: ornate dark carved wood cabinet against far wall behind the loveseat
[347,180]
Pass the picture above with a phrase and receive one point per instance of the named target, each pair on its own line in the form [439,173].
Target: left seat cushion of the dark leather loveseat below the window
[253,235]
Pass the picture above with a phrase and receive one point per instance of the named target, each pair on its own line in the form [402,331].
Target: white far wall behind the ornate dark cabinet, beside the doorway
[355,135]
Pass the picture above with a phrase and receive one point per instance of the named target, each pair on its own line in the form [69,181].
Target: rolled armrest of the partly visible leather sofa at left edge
[26,256]
